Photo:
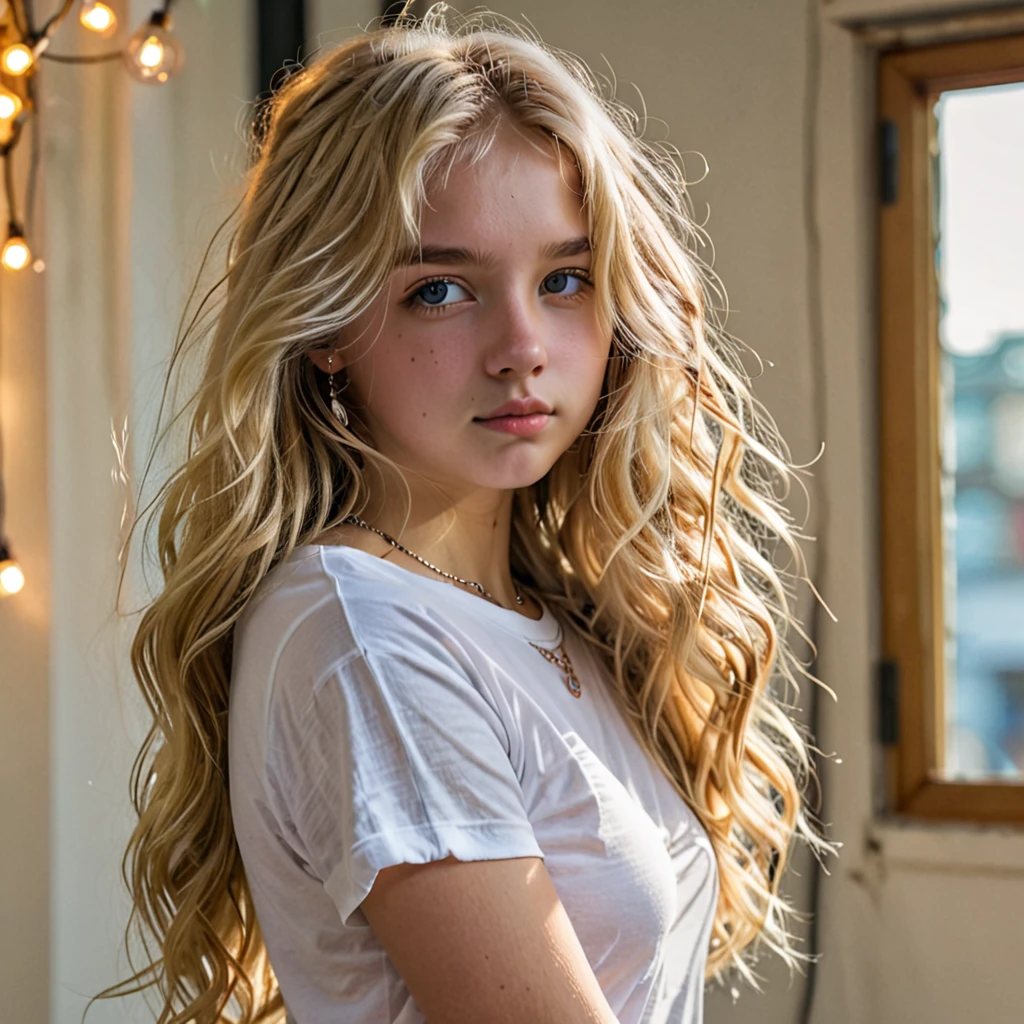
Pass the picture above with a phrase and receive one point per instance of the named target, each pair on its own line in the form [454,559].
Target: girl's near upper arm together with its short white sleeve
[396,785]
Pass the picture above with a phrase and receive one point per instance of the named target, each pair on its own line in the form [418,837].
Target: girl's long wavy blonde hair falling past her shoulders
[653,537]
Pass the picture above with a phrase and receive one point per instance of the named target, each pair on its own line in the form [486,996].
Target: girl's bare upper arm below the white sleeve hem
[487,942]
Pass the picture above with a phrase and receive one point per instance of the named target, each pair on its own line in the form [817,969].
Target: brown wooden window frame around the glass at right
[913,621]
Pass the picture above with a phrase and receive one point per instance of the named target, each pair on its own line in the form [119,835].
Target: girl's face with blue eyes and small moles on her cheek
[500,309]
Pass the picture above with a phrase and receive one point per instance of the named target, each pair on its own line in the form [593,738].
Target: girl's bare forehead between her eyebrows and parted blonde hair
[523,187]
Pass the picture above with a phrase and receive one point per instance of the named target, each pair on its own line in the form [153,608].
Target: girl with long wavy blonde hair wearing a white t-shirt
[460,670]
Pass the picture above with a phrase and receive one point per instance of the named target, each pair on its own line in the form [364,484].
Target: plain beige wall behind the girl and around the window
[135,184]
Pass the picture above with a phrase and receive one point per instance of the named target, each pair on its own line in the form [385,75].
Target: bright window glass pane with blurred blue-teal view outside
[978,168]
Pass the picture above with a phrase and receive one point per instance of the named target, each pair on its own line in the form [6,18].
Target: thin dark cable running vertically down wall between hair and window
[819,378]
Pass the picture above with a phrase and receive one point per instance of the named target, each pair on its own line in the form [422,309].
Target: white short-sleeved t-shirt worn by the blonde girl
[378,717]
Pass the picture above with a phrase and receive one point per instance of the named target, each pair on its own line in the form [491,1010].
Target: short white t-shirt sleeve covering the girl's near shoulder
[397,757]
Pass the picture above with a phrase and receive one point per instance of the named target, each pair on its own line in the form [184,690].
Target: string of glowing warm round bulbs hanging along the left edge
[152,55]
